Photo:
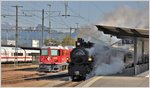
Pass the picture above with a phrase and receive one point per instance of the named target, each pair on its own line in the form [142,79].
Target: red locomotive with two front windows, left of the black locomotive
[54,58]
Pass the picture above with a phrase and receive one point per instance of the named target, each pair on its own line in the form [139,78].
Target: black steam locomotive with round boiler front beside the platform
[81,63]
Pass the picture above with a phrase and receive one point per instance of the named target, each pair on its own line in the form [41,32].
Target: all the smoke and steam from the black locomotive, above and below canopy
[108,60]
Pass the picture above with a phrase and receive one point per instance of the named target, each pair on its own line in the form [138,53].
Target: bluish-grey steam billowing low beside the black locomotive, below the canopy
[107,60]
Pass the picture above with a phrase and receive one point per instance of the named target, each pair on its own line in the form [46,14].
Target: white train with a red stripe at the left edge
[8,55]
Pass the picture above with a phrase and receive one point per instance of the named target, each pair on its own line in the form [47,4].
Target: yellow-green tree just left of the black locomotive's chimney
[68,41]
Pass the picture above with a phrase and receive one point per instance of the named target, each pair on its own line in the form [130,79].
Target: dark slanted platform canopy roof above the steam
[120,32]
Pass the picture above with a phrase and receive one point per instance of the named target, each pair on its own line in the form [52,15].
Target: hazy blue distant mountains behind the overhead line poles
[26,37]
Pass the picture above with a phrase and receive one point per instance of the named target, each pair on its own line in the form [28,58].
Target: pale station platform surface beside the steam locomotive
[141,80]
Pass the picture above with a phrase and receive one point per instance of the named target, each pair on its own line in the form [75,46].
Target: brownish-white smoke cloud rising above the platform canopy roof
[127,17]
